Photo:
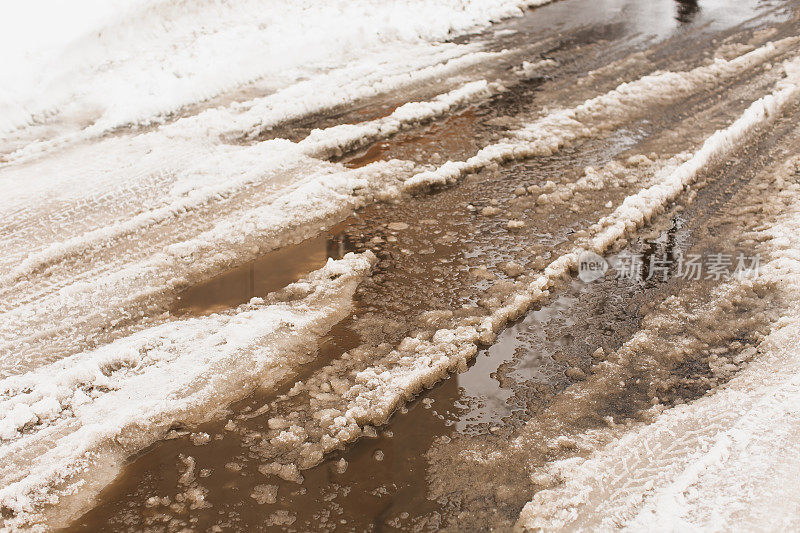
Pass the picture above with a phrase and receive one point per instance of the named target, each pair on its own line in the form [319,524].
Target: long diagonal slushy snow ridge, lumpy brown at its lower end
[343,401]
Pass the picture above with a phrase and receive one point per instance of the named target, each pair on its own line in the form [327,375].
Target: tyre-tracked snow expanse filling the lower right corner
[725,461]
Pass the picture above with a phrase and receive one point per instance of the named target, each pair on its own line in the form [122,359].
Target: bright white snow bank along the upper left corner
[108,64]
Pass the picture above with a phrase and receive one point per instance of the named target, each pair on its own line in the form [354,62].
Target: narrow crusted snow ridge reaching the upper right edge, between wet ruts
[628,101]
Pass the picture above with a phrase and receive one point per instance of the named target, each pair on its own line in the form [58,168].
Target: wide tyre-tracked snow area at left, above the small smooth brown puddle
[195,207]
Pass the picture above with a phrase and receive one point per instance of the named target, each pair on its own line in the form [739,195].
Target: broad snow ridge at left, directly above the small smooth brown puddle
[123,292]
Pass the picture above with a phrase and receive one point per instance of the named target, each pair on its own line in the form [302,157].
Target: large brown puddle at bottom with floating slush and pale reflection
[382,483]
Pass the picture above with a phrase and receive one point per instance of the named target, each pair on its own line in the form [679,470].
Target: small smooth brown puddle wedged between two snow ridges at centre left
[266,274]
